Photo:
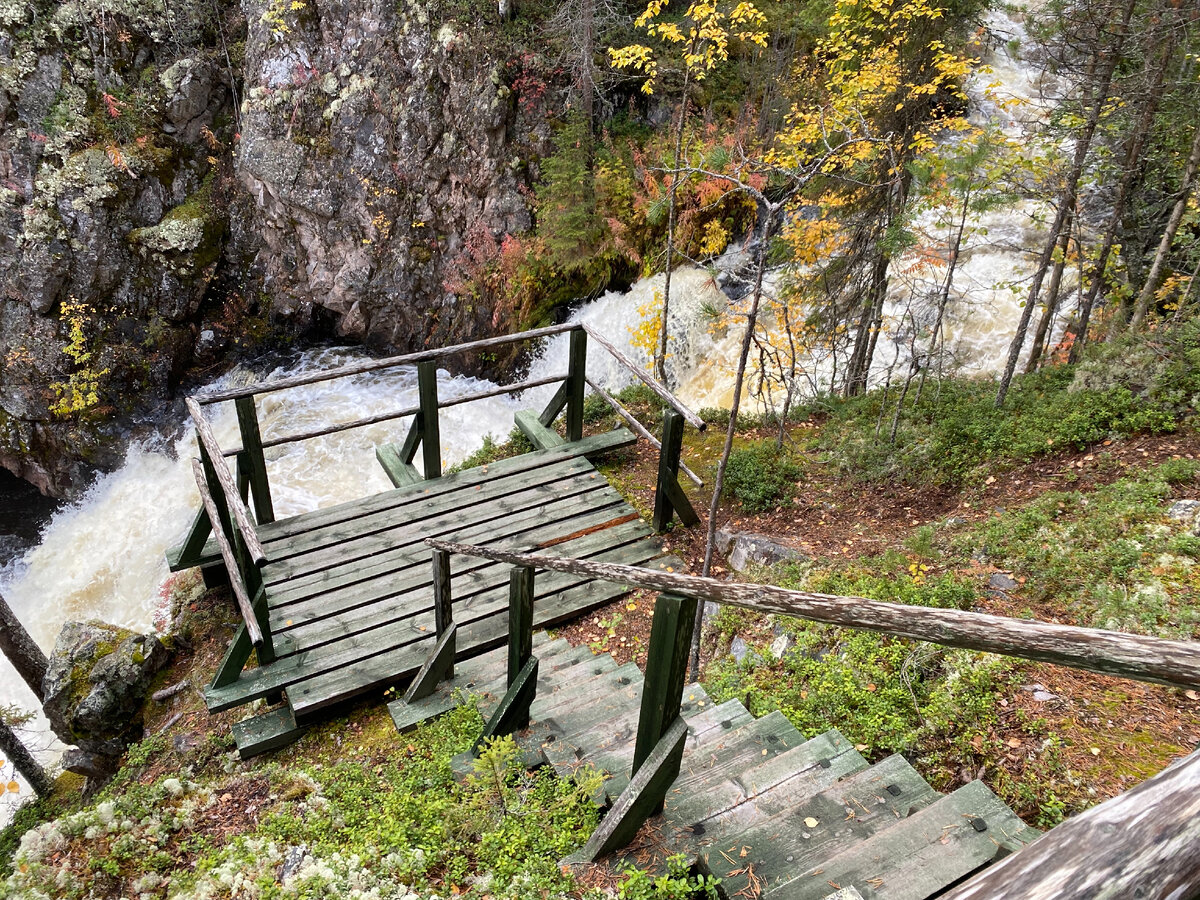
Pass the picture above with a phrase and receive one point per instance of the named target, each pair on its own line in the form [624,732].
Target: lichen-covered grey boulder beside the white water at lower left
[97,682]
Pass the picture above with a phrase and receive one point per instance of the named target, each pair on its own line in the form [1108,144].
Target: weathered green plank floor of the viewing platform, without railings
[350,589]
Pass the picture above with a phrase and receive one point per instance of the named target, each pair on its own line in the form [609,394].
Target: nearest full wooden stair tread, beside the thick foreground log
[920,856]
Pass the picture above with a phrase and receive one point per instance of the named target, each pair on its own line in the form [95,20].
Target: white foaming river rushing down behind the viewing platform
[103,556]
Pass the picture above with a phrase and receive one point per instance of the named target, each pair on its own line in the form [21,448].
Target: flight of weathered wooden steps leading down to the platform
[770,813]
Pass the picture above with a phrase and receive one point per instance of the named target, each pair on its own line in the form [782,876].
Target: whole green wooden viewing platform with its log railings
[340,602]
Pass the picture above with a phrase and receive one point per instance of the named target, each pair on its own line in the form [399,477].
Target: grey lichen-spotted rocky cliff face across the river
[167,170]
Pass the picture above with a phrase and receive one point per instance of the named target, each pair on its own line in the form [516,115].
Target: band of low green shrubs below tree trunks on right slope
[956,435]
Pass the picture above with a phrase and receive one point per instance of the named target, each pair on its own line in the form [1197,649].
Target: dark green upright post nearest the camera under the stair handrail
[667,670]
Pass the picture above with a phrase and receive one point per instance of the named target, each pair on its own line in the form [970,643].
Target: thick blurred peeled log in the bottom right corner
[1143,844]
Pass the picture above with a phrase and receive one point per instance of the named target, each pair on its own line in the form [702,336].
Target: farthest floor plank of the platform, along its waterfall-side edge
[493,477]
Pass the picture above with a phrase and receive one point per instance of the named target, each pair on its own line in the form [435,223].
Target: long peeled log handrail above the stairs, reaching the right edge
[1145,659]
